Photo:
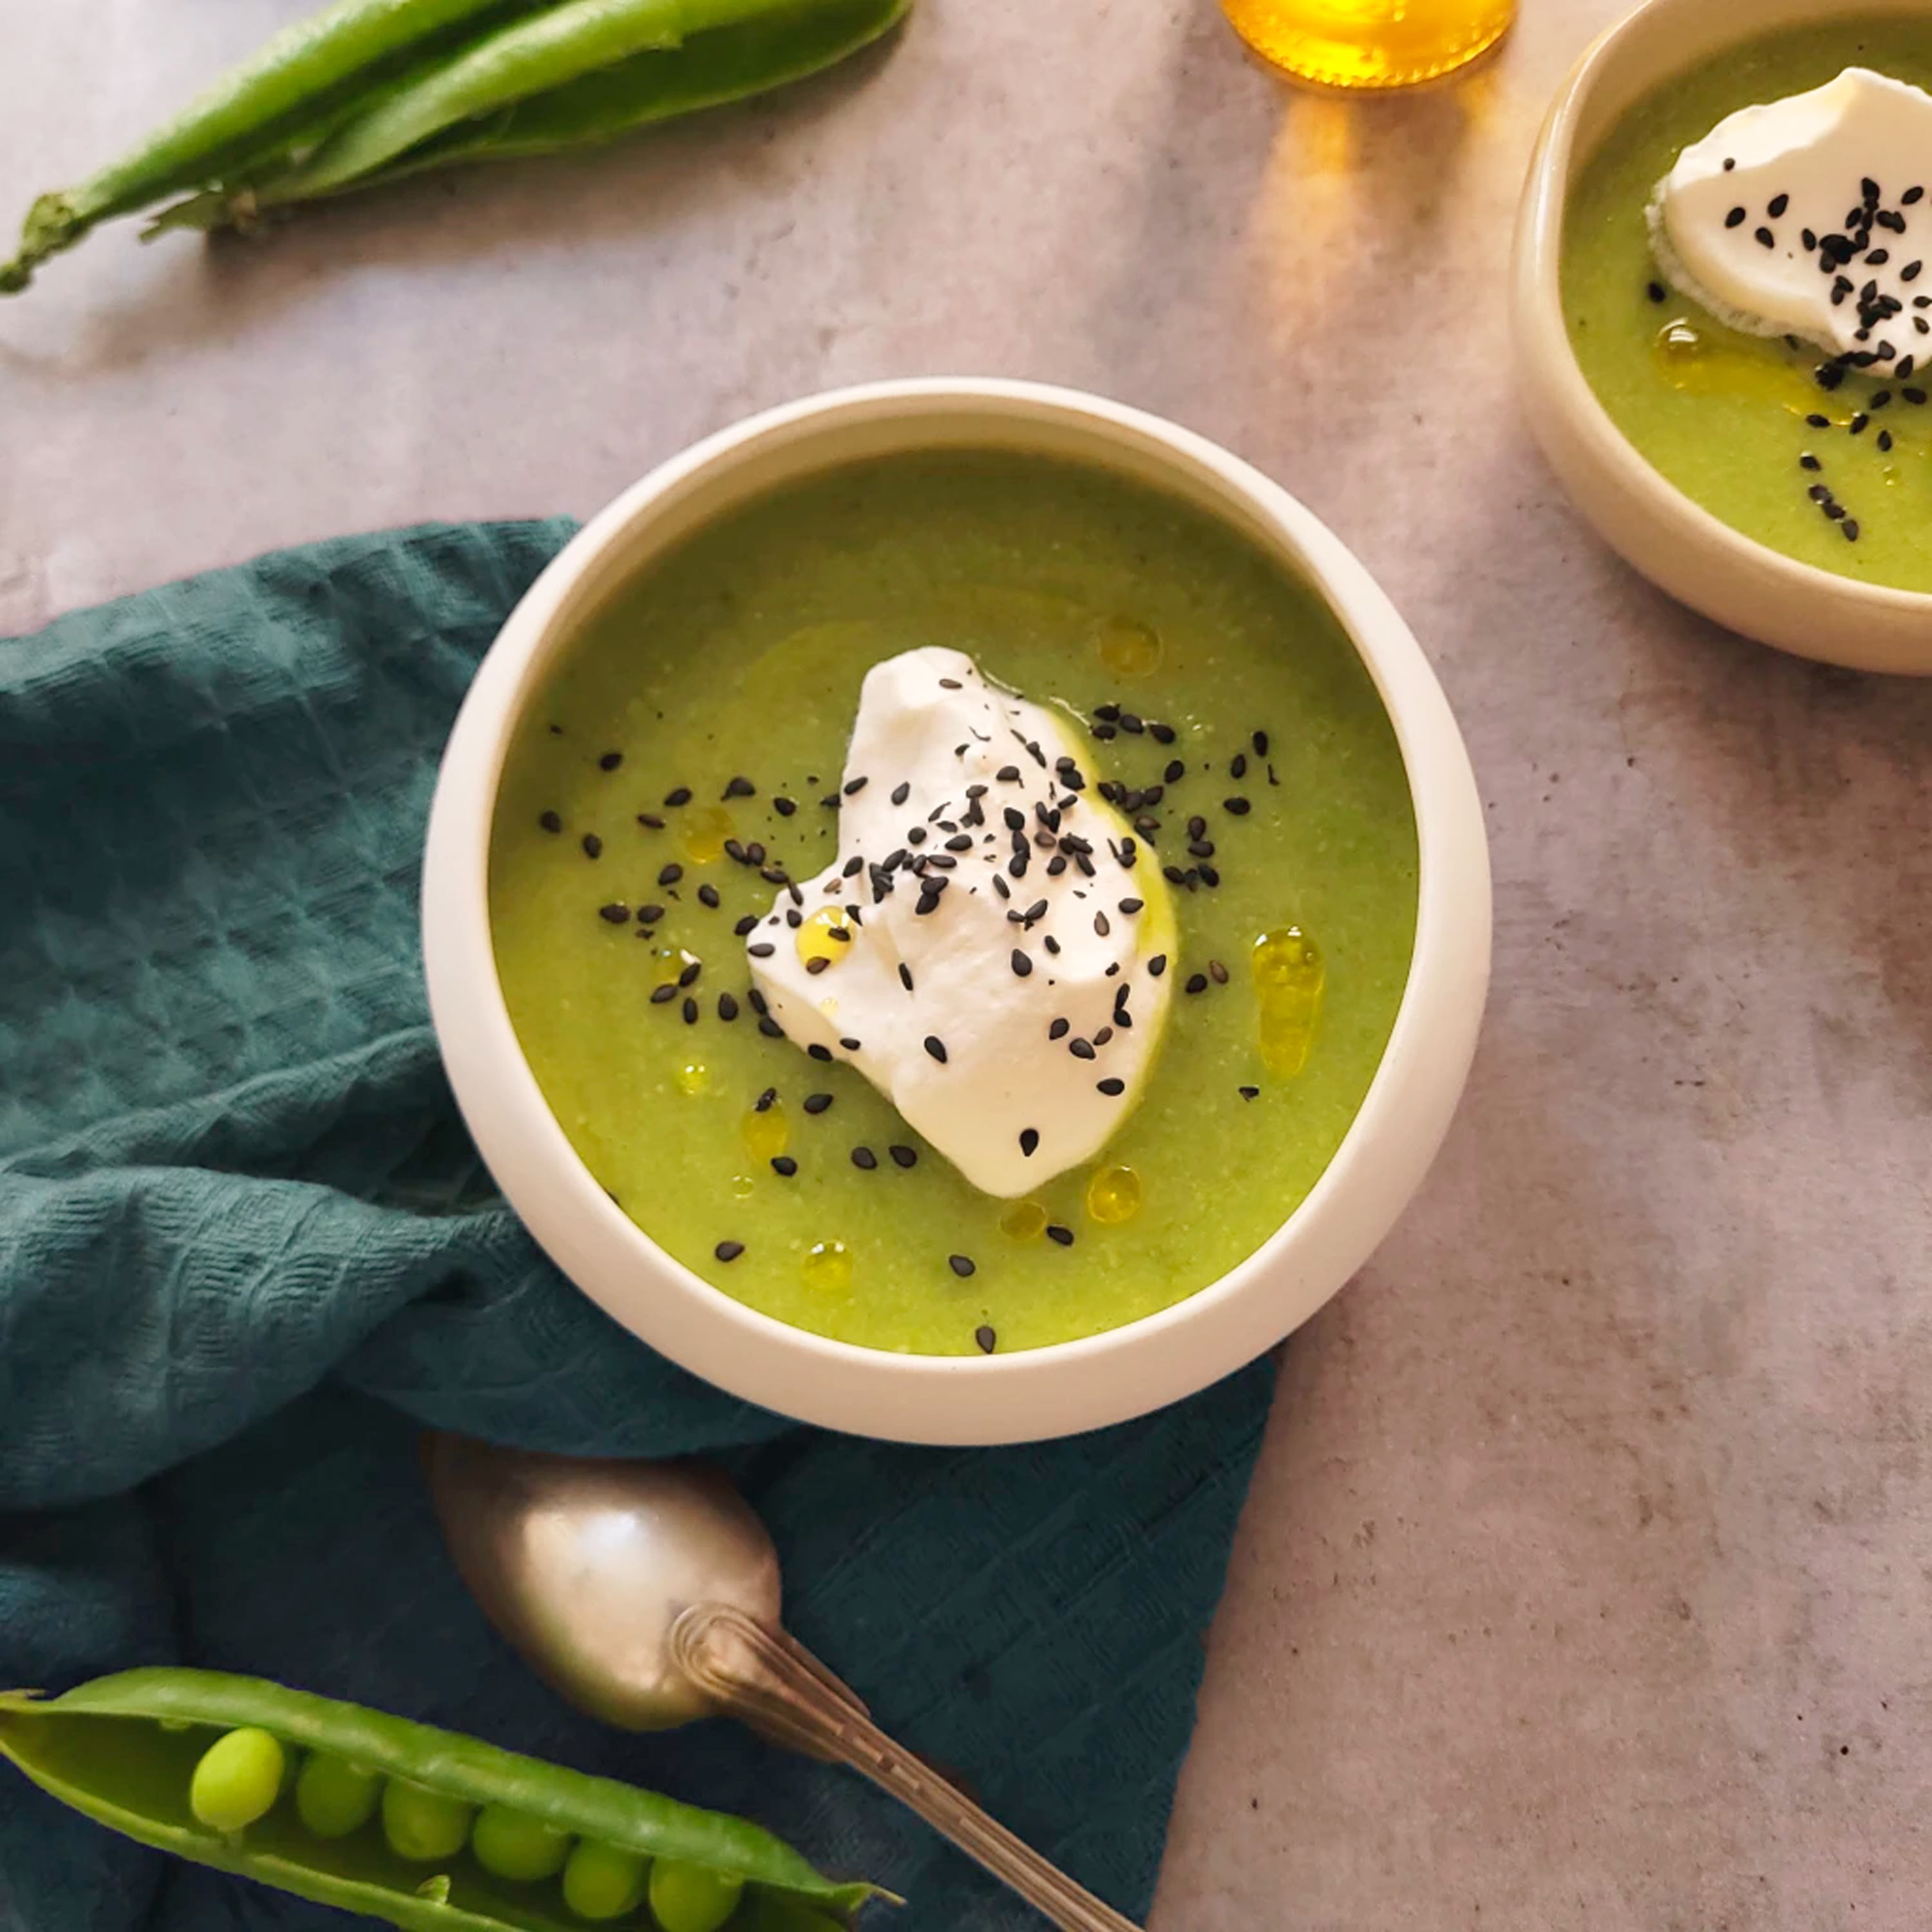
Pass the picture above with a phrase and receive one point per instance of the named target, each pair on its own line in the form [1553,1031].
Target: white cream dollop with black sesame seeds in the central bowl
[990,948]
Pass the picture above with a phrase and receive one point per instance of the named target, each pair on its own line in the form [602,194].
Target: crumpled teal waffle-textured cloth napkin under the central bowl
[246,1253]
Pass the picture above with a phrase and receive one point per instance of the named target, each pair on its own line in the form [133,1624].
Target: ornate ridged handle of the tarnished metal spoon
[778,1688]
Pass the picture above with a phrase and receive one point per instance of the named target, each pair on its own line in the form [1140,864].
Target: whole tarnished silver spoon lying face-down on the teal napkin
[648,1595]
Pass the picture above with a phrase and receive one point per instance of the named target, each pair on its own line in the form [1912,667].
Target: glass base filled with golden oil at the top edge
[1371,43]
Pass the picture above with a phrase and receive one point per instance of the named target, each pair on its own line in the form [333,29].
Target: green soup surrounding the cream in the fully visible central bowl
[625,855]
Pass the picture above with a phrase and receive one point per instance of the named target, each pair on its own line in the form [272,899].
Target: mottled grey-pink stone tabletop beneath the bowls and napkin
[1585,1581]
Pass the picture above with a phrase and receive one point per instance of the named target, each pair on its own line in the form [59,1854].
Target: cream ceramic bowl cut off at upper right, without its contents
[1651,523]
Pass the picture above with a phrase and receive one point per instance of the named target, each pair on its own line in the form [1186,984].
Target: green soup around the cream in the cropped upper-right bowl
[1728,416]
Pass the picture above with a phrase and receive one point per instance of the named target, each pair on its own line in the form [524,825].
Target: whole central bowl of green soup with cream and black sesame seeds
[957,911]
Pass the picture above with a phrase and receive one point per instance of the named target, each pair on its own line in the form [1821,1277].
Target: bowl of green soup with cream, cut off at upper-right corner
[1720,318]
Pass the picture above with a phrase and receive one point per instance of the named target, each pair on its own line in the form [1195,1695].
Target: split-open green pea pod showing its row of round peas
[134,1753]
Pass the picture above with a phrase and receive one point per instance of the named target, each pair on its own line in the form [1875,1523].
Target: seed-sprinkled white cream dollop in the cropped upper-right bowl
[1807,217]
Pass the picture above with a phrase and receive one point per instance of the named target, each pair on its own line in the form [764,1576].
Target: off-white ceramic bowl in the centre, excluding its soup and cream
[950,1400]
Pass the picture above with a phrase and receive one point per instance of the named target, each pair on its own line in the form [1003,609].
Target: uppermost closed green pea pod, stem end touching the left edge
[297,82]
